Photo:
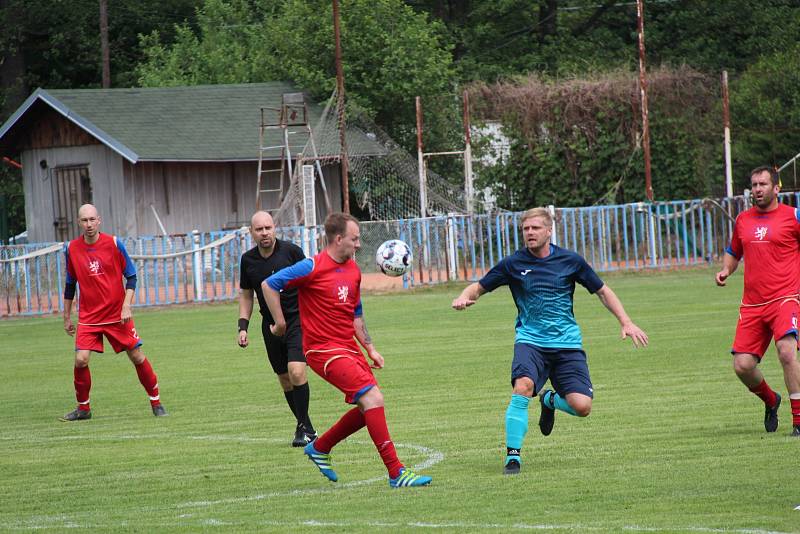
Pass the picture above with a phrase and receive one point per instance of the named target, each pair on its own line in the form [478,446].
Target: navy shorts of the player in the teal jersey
[566,369]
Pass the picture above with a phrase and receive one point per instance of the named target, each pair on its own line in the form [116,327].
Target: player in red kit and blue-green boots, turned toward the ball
[331,317]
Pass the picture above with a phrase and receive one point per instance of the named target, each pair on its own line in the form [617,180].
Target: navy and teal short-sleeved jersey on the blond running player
[543,290]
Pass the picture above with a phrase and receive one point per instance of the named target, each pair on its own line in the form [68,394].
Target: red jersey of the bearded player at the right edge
[770,244]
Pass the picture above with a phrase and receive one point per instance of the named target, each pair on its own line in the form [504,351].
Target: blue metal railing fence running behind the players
[204,267]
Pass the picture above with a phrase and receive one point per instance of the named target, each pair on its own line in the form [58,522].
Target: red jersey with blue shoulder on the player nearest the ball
[329,298]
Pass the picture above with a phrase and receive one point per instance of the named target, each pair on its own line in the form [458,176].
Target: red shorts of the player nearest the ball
[349,373]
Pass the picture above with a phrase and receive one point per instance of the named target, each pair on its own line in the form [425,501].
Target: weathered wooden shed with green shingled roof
[153,160]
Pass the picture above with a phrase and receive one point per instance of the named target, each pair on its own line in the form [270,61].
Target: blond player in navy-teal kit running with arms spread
[548,343]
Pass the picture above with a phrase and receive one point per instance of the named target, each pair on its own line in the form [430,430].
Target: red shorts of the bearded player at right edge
[758,325]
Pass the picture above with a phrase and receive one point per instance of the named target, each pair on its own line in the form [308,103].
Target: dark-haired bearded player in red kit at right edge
[767,236]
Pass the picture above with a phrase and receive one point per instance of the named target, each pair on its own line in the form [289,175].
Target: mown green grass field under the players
[674,444]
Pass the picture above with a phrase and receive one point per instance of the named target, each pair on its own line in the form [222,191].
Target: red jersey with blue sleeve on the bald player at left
[99,269]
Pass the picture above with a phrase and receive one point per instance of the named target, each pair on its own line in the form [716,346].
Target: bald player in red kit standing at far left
[98,263]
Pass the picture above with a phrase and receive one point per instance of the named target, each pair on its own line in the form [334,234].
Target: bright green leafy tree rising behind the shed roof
[391,54]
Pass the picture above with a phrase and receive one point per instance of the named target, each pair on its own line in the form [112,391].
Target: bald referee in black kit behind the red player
[285,353]
